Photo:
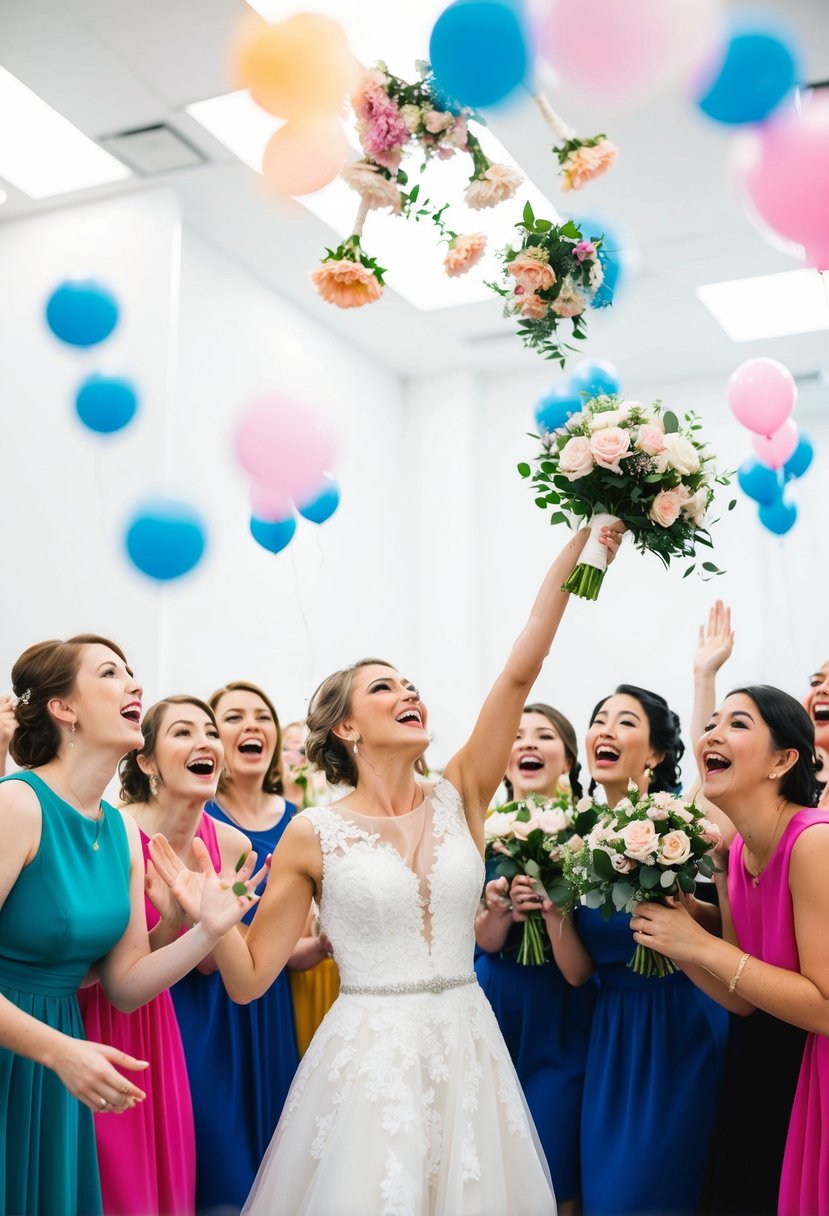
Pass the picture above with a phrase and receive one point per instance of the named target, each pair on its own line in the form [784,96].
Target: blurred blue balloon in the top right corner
[758,70]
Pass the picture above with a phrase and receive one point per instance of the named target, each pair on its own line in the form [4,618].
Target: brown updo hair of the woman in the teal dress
[46,672]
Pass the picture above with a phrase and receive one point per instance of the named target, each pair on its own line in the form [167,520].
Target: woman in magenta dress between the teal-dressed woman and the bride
[148,1156]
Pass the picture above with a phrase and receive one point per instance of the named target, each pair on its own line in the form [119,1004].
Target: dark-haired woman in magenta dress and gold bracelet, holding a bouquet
[758,759]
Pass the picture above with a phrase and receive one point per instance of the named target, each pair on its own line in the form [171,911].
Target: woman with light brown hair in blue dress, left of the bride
[241,1059]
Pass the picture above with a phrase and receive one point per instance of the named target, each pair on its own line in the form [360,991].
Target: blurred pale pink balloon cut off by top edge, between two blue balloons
[614,52]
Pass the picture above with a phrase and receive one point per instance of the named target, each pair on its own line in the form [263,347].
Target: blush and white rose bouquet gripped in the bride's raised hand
[621,460]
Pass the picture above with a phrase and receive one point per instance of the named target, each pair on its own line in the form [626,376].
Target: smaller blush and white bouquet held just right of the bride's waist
[529,837]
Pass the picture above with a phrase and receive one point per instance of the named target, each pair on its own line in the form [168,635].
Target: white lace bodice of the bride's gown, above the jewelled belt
[399,897]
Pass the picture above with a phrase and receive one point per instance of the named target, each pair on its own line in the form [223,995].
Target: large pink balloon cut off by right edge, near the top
[785,171]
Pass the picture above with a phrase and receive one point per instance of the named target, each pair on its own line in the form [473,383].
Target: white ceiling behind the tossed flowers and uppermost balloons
[112,66]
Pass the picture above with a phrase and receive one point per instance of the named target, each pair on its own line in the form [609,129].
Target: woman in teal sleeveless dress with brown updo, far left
[71,900]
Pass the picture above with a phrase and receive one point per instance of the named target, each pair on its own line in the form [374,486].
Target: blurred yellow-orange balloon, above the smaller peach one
[295,69]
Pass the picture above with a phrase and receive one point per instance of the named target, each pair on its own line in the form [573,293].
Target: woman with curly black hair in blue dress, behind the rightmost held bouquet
[657,1046]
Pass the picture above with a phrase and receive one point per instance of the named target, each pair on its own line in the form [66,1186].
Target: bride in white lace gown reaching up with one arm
[407,1102]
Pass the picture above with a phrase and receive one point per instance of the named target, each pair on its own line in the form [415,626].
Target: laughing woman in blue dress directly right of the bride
[544,1020]
